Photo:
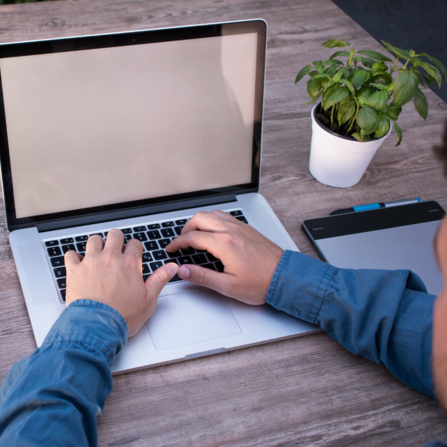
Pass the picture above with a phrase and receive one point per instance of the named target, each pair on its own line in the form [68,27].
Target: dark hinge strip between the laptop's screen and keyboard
[133,212]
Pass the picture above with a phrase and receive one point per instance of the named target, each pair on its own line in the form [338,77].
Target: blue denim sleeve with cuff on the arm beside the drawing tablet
[385,316]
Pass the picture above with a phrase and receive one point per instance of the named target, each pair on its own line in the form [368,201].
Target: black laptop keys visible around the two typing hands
[154,236]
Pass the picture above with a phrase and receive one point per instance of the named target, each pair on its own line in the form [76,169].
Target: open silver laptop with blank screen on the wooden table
[138,131]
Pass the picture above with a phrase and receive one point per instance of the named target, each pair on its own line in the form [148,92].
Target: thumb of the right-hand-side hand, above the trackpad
[220,282]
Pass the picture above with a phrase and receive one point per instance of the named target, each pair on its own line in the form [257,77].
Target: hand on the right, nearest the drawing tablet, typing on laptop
[249,258]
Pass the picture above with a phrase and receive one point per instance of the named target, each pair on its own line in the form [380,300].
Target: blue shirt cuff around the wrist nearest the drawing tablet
[299,285]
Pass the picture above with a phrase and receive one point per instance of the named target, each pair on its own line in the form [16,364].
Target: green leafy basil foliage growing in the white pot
[360,98]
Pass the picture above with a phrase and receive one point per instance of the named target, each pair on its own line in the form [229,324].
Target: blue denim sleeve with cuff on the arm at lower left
[54,396]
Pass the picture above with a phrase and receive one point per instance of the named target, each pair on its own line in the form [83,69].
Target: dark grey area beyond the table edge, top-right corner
[407,24]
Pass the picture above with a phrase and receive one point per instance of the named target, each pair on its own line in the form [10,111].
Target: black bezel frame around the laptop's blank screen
[124,39]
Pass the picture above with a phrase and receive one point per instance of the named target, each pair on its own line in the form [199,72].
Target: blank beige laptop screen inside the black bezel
[98,127]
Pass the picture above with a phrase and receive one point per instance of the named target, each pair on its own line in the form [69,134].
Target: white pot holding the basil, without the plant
[339,161]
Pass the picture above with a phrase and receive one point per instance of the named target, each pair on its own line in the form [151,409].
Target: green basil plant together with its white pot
[360,102]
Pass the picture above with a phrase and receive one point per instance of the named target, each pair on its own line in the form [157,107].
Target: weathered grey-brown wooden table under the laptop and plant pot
[304,391]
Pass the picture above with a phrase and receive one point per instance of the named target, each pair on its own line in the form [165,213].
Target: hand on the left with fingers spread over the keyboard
[113,277]
